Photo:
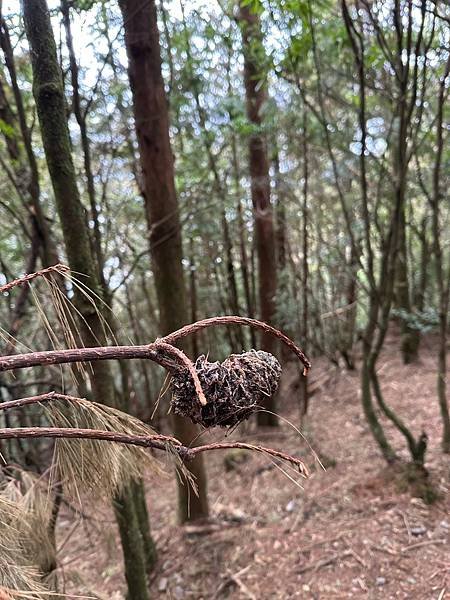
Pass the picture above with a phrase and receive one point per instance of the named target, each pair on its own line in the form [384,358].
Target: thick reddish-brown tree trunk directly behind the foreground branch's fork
[161,203]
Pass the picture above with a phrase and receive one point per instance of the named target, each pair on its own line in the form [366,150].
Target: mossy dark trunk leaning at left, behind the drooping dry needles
[50,102]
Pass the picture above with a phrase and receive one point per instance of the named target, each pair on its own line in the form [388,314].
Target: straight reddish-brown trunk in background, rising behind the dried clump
[256,95]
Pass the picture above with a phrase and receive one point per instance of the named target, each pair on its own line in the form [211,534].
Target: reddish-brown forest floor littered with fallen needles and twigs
[353,530]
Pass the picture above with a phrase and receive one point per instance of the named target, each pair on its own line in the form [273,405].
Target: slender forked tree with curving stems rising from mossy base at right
[381,290]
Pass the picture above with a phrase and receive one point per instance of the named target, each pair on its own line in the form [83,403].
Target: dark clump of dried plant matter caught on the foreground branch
[234,389]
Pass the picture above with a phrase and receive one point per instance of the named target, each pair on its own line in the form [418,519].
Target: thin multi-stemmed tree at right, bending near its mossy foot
[381,278]
